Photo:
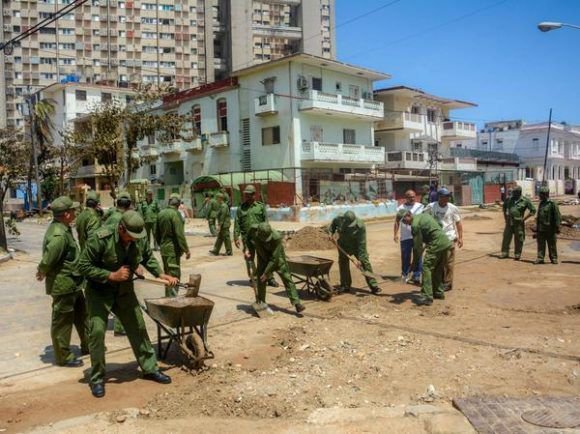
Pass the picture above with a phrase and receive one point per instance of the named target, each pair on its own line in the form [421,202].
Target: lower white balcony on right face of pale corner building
[341,153]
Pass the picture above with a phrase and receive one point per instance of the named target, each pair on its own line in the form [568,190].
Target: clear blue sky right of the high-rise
[489,52]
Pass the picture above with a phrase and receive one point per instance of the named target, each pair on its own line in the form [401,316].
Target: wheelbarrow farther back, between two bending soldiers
[313,274]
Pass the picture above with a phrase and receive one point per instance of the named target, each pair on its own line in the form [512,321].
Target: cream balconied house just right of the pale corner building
[417,127]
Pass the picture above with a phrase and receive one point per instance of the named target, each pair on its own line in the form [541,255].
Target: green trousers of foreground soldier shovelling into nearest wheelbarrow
[123,303]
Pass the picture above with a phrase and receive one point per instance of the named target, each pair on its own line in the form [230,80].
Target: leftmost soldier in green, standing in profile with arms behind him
[58,265]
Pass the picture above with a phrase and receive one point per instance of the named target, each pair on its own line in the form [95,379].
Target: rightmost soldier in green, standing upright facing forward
[548,225]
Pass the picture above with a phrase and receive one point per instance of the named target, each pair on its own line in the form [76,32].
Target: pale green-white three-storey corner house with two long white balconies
[300,112]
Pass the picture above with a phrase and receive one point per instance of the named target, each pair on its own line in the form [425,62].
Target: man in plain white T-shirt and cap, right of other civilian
[449,218]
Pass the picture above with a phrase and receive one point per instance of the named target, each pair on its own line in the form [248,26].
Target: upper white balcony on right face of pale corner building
[325,103]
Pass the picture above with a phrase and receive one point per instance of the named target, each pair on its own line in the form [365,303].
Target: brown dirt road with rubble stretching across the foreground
[508,328]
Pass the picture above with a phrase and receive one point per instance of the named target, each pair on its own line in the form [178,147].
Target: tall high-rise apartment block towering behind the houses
[185,42]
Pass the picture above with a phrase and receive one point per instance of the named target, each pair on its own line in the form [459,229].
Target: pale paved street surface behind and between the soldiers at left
[25,309]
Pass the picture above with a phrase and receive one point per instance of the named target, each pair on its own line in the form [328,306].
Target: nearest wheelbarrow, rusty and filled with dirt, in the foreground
[184,321]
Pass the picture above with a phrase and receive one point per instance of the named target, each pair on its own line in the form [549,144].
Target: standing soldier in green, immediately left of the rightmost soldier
[514,213]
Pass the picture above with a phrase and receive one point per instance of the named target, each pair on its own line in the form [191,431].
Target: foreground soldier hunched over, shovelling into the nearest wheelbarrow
[112,255]
